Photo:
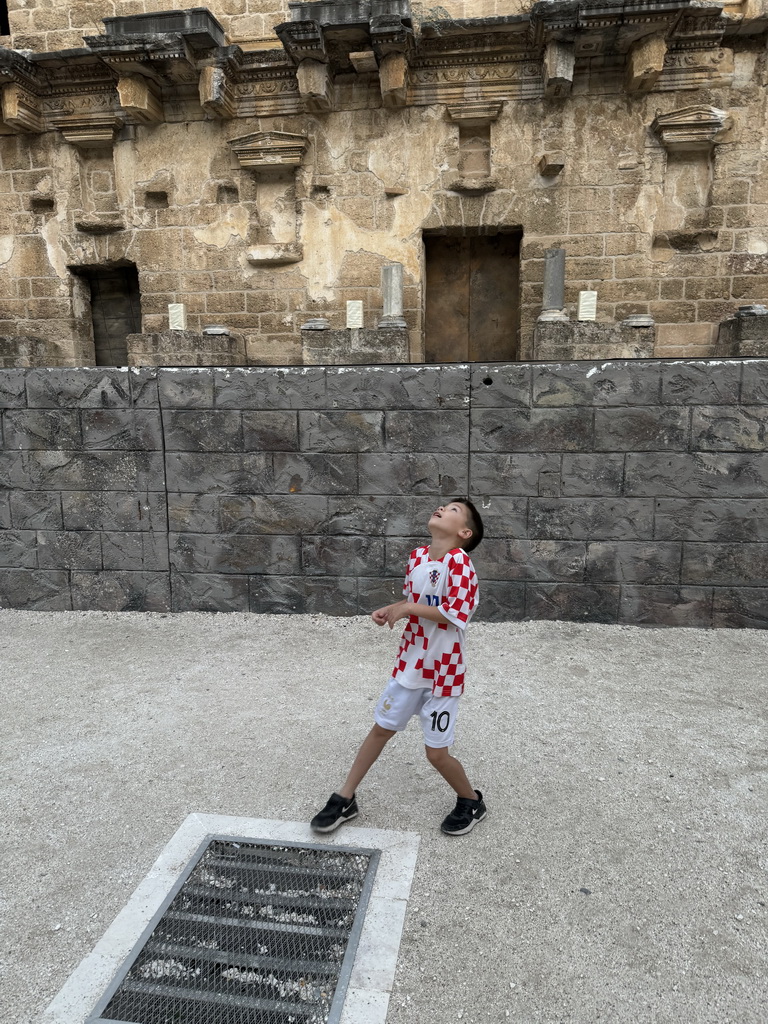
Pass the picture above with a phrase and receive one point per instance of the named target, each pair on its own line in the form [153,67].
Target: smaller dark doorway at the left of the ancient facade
[116,311]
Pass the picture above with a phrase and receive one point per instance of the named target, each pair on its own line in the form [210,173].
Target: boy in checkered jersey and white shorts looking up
[441,596]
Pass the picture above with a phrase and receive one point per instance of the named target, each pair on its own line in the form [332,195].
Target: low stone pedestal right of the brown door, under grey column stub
[567,342]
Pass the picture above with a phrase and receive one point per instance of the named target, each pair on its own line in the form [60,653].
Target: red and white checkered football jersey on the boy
[432,655]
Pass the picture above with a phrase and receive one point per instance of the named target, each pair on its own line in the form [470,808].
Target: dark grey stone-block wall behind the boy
[631,492]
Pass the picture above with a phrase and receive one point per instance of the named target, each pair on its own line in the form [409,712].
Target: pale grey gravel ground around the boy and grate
[620,876]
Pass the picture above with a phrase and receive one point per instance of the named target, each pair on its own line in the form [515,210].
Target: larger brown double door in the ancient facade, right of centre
[473,297]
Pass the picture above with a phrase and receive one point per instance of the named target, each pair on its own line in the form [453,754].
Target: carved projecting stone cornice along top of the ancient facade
[660,46]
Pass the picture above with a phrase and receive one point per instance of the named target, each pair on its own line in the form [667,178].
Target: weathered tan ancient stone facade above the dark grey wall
[262,189]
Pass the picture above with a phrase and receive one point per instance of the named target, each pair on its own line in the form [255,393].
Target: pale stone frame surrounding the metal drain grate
[368,973]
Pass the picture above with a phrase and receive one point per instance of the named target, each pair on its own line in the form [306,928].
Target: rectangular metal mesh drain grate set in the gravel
[253,933]
